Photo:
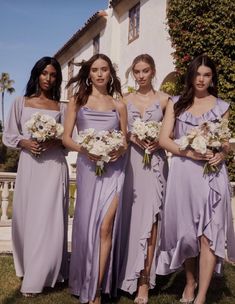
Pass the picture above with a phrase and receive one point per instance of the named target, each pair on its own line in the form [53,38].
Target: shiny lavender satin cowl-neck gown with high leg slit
[95,195]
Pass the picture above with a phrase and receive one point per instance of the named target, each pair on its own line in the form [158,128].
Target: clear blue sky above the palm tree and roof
[31,29]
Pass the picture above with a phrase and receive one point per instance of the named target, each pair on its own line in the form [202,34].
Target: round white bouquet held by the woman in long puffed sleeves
[43,127]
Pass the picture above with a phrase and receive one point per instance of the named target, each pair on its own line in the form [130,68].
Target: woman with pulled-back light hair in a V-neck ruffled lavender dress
[144,187]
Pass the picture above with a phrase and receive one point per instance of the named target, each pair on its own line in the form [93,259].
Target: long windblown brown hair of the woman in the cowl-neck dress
[83,87]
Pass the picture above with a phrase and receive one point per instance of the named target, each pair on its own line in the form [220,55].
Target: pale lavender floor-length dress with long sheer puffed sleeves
[40,205]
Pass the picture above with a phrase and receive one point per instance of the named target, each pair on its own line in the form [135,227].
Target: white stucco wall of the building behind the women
[153,39]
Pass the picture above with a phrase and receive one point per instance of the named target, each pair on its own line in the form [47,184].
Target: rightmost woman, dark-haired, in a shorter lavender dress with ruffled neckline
[197,225]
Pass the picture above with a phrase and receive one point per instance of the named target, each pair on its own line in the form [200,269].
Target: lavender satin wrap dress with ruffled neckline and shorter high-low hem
[195,205]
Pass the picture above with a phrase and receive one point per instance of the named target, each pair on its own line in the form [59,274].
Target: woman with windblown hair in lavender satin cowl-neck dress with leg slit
[97,208]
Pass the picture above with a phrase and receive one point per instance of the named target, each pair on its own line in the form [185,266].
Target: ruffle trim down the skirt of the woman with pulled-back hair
[130,283]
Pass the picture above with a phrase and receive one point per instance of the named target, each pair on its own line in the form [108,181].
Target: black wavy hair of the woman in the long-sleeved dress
[32,87]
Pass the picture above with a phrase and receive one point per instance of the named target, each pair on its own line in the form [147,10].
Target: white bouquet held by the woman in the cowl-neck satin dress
[100,143]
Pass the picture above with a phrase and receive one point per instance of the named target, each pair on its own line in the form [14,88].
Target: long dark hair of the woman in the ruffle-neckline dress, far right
[186,99]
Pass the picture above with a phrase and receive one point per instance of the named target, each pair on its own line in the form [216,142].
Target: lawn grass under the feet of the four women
[167,291]
